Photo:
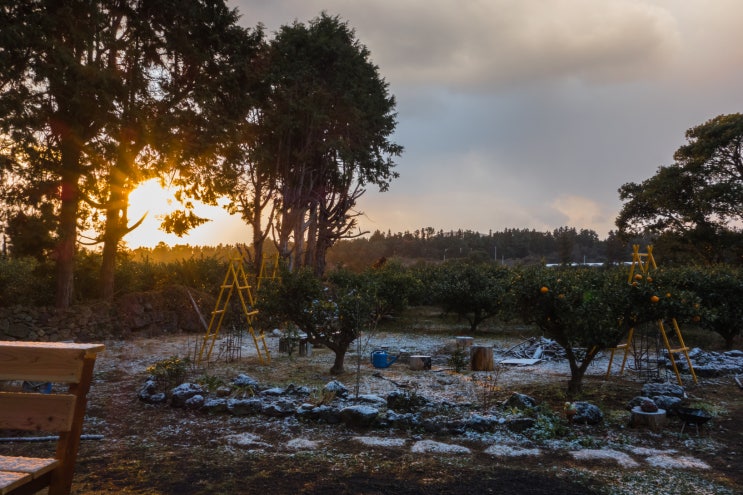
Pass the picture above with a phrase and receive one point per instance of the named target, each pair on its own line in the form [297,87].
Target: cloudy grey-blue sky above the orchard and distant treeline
[526,113]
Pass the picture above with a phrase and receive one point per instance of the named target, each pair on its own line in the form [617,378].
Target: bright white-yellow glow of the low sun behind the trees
[152,199]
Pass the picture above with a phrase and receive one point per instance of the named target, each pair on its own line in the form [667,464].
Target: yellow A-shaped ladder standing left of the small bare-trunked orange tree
[235,279]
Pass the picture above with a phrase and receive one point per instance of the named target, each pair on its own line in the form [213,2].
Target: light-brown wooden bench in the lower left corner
[58,413]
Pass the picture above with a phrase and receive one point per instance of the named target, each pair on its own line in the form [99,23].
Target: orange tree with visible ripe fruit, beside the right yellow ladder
[583,309]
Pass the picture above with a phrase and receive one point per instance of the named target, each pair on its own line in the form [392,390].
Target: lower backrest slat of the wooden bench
[36,412]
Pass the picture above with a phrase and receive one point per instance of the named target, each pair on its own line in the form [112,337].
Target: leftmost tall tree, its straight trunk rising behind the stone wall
[57,89]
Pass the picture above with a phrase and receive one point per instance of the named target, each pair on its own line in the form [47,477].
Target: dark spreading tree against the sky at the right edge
[697,200]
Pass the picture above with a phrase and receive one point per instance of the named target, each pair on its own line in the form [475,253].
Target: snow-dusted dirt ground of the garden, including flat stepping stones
[156,449]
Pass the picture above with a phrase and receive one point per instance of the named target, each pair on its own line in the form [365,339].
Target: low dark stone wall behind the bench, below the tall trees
[142,313]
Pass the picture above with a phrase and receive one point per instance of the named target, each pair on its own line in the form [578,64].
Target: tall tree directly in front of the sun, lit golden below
[185,78]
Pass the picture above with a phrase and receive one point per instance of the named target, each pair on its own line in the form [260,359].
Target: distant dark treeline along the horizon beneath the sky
[510,246]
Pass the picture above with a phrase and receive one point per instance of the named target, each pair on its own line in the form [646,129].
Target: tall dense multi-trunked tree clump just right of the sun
[325,132]
